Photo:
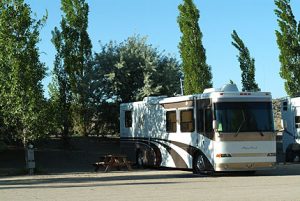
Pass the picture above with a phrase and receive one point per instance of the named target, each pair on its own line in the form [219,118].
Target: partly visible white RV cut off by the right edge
[290,118]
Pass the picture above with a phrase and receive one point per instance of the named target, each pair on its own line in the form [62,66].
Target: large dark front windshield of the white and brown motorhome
[244,117]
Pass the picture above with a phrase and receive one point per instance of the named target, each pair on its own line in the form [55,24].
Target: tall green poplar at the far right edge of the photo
[288,40]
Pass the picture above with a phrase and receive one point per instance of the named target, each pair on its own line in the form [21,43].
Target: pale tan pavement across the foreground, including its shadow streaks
[282,183]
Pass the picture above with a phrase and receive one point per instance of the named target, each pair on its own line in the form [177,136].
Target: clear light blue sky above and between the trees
[116,20]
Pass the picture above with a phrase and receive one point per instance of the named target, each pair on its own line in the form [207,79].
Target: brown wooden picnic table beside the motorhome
[112,160]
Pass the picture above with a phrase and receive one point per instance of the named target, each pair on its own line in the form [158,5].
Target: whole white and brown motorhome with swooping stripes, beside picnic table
[218,130]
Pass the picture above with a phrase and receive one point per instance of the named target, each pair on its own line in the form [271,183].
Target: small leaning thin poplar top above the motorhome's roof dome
[247,64]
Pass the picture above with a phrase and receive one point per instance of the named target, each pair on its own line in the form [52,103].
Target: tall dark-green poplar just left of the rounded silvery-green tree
[73,67]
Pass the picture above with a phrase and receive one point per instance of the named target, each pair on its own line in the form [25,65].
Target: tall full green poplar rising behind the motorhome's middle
[197,74]
